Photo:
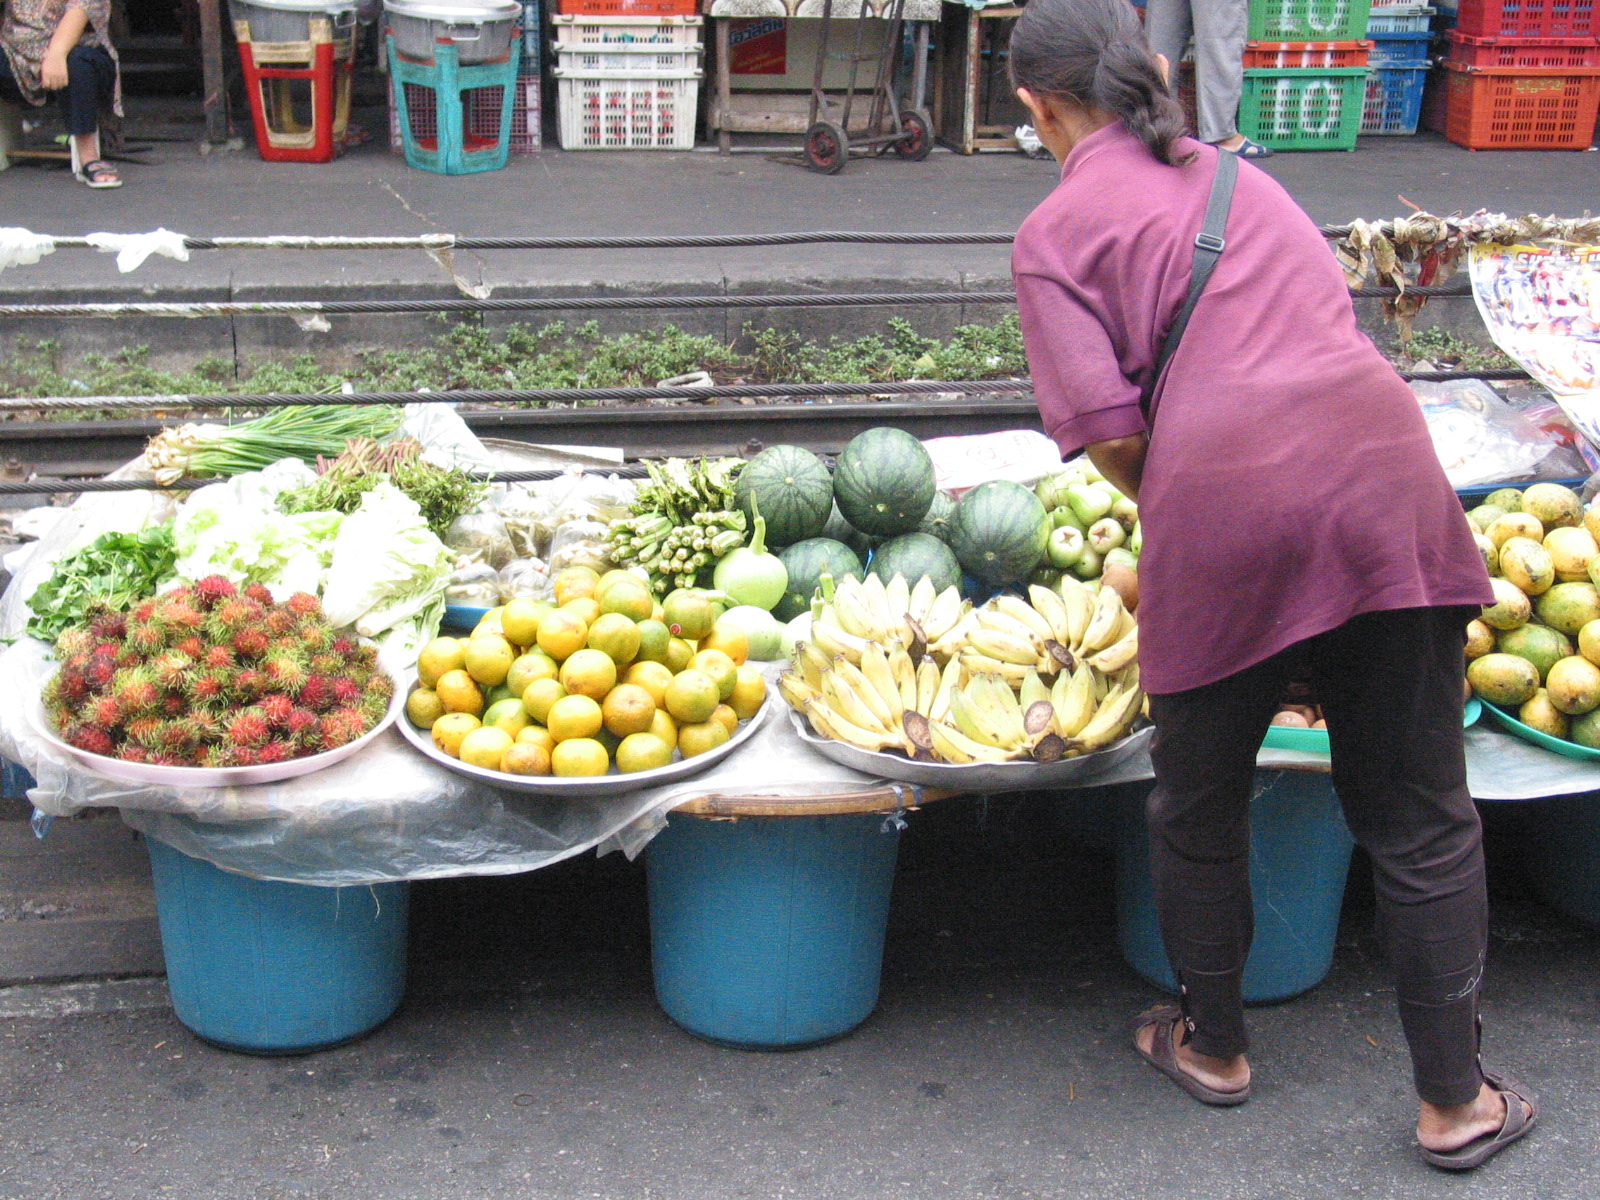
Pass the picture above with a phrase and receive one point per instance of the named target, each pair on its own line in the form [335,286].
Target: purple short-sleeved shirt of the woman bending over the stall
[1290,482]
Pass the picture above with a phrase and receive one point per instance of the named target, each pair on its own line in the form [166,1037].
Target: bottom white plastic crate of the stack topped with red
[602,113]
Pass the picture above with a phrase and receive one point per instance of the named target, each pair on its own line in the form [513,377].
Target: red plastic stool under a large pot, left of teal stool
[308,127]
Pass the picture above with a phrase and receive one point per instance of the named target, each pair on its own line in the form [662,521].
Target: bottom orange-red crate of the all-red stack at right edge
[1522,108]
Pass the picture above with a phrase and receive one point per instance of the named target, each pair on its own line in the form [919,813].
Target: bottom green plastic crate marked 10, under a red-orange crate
[1308,110]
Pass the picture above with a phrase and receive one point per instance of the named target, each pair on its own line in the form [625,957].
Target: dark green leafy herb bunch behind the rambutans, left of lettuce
[113,574]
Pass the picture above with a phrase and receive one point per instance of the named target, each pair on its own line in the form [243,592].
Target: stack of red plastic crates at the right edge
[1522,74]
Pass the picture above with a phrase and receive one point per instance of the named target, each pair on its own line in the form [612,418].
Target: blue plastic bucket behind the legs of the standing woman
[1300,855]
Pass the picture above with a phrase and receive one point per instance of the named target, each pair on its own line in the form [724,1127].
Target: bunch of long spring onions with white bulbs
[297,431]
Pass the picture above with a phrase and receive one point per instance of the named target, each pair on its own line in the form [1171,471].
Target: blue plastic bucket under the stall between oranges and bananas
[769,932]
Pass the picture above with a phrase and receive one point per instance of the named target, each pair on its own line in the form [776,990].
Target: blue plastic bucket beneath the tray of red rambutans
[278,969]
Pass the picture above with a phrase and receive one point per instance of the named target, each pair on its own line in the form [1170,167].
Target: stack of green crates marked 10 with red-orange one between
[1306,66]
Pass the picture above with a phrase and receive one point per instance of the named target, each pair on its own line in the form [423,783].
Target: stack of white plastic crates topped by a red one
[628,74]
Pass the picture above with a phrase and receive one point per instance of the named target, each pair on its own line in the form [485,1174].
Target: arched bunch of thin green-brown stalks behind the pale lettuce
[442,494]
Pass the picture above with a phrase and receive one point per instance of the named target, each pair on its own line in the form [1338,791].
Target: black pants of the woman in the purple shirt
[1391,689]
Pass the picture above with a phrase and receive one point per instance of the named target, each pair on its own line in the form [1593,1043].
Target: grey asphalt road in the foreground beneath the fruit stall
[532,1062]
